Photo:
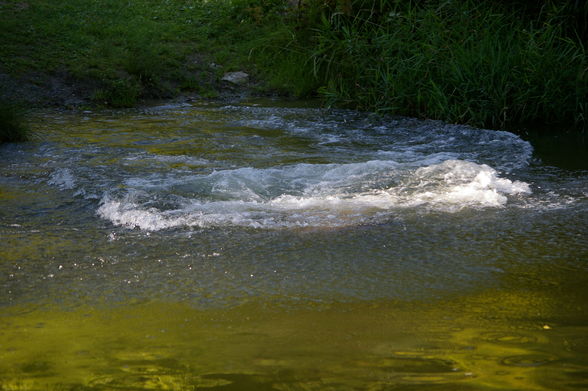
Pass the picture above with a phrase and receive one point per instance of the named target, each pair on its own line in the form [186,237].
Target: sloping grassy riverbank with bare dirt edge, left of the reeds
[103,53]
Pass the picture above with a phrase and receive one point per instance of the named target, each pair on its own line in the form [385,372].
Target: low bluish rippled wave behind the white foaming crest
[403,139]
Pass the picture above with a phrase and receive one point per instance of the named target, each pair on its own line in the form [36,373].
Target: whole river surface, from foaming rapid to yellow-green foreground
[270,246]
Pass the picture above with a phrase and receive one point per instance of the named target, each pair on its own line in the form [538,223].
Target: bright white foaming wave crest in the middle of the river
[307,195]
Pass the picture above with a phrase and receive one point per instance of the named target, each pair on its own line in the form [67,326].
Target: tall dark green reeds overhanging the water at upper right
[480,63]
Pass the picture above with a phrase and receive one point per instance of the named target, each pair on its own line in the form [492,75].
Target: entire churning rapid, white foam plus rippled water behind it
[268,168]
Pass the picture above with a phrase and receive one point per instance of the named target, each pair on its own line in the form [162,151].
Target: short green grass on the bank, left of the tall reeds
[133,49]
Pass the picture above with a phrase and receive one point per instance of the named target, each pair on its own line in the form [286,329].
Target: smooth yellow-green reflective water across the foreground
[489,341]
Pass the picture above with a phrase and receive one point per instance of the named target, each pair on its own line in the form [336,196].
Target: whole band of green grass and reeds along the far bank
[499,63]
